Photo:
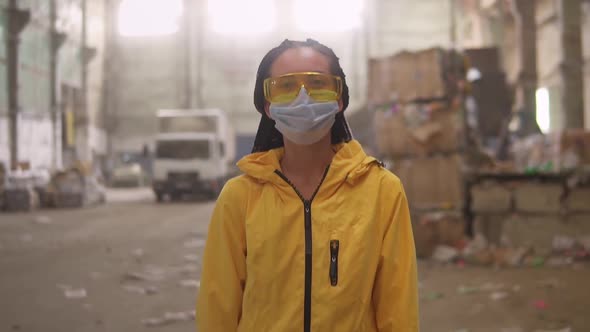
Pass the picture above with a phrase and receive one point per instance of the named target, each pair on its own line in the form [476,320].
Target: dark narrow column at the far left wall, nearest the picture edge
[16,20]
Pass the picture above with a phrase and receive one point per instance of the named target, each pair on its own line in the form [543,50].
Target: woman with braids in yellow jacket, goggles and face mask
[316,235]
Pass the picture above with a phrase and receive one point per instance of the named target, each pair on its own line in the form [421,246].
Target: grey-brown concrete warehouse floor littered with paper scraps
[104,250]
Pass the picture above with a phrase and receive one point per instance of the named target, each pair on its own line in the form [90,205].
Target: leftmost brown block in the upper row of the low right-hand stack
[491,198]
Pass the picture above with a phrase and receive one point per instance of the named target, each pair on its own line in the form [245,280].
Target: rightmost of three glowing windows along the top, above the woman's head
[328,15]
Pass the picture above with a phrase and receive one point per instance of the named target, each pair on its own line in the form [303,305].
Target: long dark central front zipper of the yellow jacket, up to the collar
[308,247]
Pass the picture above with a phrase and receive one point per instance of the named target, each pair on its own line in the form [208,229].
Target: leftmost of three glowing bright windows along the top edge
[149,17]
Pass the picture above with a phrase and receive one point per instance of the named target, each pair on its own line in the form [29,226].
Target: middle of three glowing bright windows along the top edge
[242,17]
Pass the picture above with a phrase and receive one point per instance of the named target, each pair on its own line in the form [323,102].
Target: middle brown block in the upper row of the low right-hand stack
[538,198]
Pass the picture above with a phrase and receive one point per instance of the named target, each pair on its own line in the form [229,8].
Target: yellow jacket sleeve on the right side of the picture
[395,292]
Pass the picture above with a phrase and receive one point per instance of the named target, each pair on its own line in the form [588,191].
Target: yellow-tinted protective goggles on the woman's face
[320,87]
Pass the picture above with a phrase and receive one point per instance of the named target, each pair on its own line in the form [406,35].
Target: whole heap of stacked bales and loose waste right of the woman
[444,124]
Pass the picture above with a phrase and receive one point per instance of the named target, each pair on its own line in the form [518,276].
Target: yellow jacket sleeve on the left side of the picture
[223,277]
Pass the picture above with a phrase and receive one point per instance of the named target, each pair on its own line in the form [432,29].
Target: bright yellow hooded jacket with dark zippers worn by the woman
[344,261]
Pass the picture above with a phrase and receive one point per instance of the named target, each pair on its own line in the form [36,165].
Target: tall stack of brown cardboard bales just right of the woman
[418,123]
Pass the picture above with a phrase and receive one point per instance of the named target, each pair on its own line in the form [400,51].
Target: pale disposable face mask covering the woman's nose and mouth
[304,121]
